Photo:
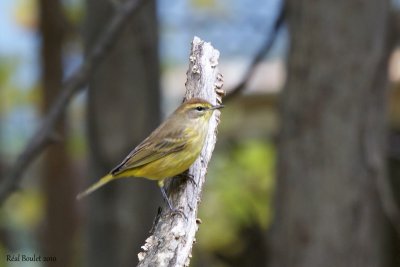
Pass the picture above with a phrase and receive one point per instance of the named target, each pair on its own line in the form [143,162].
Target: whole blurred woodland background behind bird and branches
[307,163]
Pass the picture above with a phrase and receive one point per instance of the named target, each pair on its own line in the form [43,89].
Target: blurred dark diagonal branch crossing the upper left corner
[44,135]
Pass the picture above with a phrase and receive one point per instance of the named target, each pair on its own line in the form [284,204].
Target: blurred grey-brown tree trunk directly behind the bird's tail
[124,107]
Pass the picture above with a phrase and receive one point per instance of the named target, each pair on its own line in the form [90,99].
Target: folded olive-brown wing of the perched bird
[150,150]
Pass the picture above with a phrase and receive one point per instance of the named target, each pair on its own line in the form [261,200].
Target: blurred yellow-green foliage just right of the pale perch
[237,194]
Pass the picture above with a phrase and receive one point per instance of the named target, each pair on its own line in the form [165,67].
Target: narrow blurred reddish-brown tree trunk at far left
[59,188]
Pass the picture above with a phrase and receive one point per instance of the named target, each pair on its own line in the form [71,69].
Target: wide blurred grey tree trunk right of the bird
[331,150]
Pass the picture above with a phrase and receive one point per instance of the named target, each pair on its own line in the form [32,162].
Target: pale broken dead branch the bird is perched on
[173,235]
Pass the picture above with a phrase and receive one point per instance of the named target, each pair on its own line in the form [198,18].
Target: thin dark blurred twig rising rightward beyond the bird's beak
[264,49]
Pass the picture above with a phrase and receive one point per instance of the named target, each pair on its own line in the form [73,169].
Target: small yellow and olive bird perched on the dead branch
[169,150]
